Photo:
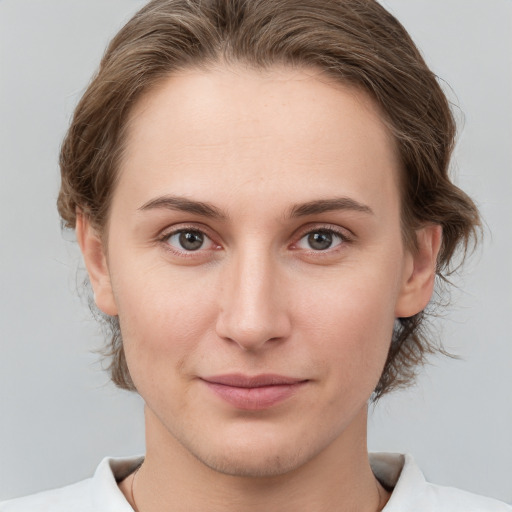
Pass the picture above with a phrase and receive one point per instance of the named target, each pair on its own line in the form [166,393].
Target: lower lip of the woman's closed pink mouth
[257,398]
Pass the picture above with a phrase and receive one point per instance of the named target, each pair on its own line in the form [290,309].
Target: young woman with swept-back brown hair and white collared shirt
[260,192]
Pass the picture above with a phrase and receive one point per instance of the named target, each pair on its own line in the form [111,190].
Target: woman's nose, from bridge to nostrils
[253,302]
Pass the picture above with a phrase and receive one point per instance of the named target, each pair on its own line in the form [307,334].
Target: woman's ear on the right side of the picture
[419,272]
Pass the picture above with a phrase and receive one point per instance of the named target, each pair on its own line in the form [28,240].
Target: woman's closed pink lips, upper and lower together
[253,393]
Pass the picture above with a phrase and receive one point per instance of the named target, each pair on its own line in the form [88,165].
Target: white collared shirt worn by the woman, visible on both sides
[412,493]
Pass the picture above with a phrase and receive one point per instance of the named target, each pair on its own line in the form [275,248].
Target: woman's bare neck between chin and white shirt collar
[337,479]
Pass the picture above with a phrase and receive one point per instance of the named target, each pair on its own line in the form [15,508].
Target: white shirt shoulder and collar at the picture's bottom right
[412,492]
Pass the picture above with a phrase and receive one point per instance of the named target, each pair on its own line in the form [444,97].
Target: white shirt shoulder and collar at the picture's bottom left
[99,493]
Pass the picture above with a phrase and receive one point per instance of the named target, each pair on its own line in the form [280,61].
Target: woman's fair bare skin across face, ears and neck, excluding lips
[256,297]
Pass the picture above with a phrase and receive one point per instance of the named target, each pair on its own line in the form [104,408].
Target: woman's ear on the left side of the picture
[96,263]
